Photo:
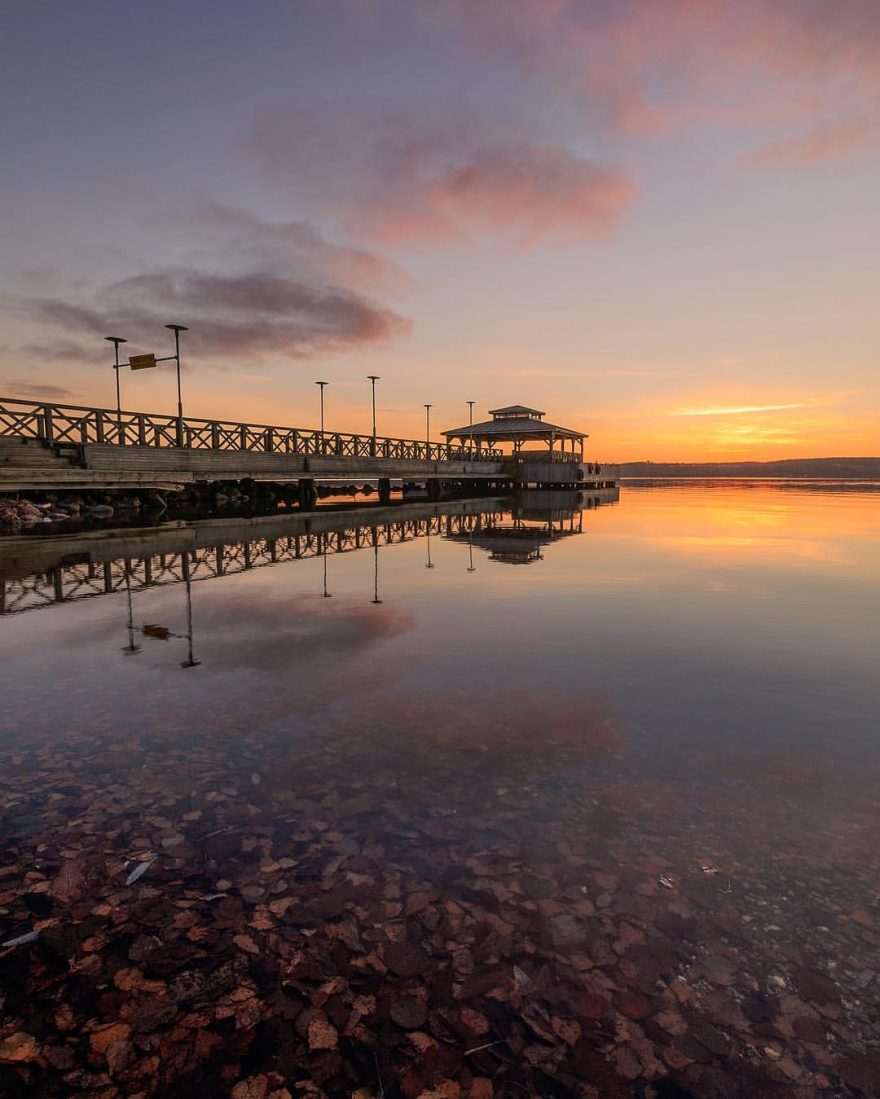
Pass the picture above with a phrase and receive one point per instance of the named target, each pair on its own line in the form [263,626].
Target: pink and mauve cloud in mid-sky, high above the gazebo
[403,179]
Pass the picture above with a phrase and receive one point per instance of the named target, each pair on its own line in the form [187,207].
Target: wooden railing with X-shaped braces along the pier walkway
[70,424]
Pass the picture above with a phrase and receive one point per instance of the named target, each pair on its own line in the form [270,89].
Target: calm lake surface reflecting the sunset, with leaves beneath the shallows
[470,800]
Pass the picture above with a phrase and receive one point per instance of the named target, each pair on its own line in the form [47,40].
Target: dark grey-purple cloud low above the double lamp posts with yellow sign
[261,290]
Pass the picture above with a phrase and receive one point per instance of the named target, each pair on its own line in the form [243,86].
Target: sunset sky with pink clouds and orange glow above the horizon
[656,220]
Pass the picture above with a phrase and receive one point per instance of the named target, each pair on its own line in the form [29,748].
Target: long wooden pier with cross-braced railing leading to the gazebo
[60,448]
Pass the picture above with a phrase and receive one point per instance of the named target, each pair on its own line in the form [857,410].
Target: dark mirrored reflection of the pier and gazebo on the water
[40,572]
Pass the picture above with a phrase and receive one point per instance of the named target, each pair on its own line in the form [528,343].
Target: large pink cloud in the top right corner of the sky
[808,68]
